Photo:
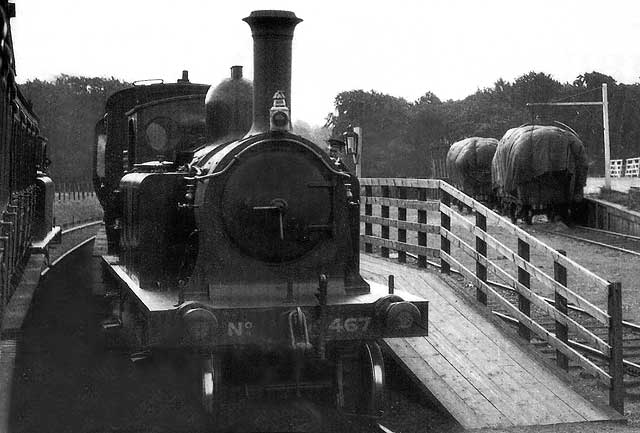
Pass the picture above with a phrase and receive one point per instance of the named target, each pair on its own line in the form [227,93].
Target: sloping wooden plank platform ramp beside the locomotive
[476,372]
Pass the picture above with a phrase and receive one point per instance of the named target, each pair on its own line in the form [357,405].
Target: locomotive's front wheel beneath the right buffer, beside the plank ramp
[360,381]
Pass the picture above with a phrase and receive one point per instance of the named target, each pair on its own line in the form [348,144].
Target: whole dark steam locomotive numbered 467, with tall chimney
[237,241]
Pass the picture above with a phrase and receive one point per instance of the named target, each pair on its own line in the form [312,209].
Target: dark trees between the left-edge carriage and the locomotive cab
[68,108]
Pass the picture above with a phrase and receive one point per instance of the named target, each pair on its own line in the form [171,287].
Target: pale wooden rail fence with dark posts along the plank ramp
[425,223]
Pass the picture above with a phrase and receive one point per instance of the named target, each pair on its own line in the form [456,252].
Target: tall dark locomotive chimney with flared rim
[272,35]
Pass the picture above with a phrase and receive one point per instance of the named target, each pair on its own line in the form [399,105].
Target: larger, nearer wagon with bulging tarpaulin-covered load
[539,169]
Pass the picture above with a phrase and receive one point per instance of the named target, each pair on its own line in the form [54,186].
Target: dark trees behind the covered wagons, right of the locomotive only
[404,138]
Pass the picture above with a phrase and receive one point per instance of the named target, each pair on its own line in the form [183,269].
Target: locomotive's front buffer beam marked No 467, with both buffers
[302,325]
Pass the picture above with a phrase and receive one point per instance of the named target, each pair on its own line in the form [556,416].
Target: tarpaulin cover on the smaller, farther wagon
[469,163]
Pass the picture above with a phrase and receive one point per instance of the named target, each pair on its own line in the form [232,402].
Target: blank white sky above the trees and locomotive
[404,48]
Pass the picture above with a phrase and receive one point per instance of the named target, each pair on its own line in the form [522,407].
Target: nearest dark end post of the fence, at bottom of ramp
[616,369]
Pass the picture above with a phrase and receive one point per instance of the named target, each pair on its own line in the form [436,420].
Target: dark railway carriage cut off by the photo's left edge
[26,191]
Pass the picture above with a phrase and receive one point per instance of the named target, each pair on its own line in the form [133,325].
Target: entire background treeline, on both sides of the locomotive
[401,138]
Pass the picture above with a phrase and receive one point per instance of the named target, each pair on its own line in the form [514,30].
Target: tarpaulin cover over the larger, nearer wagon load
[532,151]
